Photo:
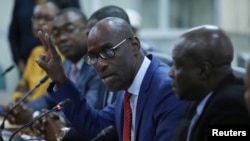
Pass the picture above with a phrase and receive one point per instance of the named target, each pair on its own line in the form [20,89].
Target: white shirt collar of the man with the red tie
[135,87]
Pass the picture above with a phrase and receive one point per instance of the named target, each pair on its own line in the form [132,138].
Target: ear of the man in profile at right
[205,69]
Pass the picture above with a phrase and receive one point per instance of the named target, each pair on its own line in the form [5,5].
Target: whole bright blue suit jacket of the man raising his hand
[158,111]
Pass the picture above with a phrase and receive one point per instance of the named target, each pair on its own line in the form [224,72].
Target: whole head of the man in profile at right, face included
[202,59]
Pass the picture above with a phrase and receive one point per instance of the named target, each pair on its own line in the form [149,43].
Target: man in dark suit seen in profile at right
[202,73]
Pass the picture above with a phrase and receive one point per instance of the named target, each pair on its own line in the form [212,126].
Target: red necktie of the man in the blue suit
[127,117]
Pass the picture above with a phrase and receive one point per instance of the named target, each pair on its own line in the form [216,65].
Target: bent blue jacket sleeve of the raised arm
[88,121]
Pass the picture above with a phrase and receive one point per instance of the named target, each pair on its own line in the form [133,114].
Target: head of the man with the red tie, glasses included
[115,51]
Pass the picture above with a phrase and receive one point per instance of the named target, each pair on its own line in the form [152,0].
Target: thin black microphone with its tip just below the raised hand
[22,99]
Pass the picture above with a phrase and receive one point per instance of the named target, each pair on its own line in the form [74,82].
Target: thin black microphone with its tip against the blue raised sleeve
[58,107]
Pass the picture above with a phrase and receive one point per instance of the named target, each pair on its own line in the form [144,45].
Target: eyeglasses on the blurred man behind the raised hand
[66,31]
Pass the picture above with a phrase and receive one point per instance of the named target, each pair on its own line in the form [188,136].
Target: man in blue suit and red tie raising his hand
[146,108]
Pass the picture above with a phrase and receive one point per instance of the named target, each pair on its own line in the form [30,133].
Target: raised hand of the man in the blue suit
[51,61]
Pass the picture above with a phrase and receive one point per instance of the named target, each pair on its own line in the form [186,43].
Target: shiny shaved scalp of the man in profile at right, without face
[209,43]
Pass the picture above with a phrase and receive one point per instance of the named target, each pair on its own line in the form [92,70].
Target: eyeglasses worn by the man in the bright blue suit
[107,53]
